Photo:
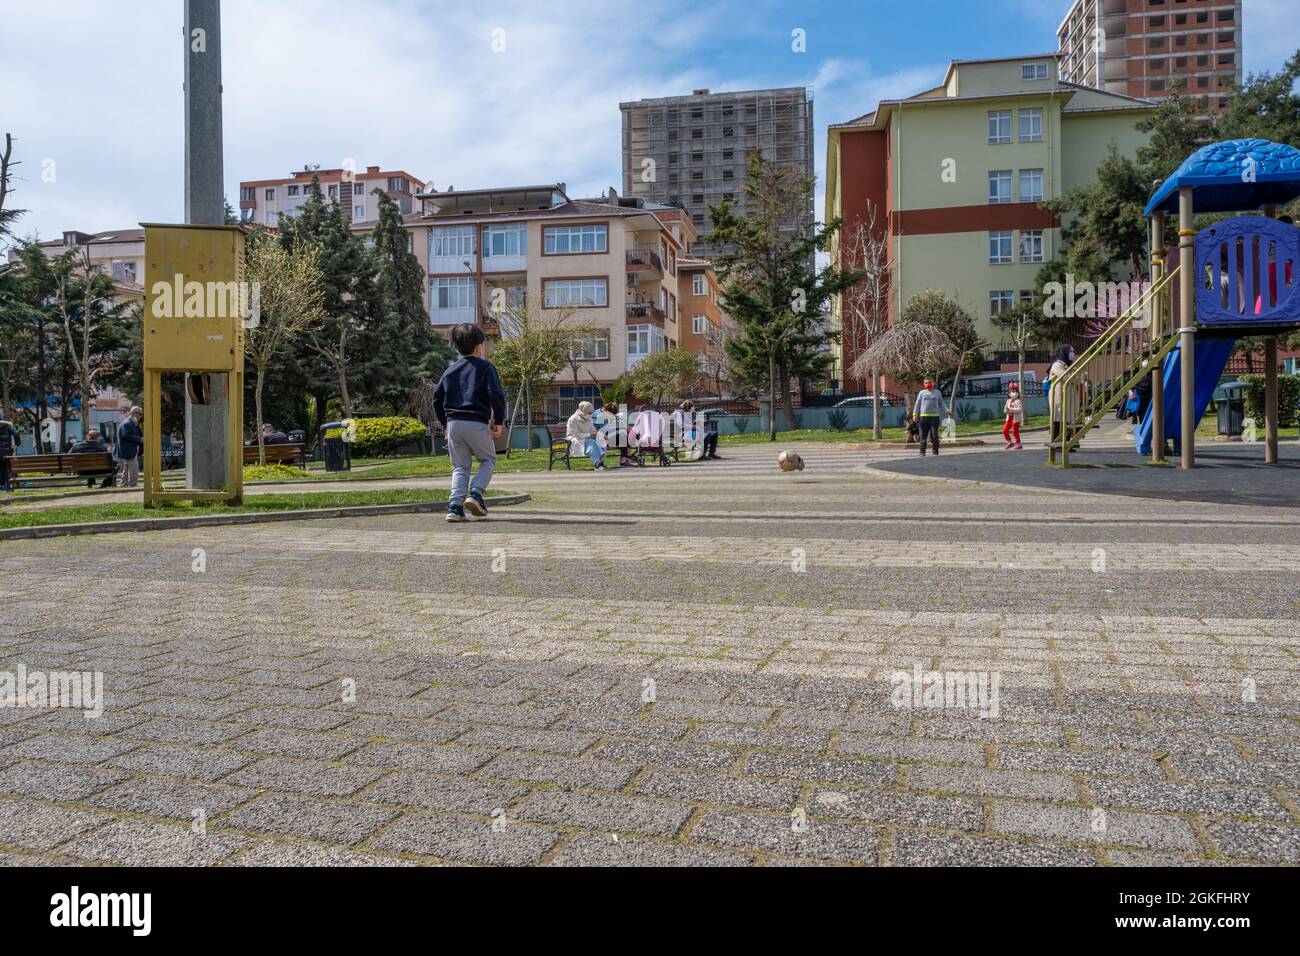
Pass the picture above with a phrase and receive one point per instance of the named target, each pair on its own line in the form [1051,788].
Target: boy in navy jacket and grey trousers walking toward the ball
[470,405]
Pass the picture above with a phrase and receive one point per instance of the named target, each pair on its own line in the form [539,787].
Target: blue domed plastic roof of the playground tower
[1233,176]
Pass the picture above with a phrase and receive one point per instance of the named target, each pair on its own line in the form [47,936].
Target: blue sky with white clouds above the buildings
[93,88]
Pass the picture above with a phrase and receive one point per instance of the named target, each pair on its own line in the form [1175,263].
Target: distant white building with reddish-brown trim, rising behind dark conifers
[263,202]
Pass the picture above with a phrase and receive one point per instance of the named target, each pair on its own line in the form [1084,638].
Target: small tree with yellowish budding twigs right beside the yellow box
[292,300]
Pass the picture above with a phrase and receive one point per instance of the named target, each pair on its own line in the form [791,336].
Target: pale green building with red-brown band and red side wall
[956,178]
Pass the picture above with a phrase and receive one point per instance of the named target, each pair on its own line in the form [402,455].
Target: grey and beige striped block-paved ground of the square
[1147,652]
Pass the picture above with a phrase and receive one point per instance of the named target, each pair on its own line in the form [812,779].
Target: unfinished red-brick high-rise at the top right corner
[1147,47]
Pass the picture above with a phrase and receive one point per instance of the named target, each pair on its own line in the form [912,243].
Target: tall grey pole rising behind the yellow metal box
[205,205]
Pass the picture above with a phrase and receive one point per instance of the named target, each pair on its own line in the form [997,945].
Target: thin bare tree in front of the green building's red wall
[865,306]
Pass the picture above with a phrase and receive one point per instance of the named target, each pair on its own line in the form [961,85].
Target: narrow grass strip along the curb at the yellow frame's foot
[253,504]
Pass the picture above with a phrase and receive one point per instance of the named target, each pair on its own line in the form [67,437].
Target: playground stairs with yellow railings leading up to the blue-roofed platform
[1134,347]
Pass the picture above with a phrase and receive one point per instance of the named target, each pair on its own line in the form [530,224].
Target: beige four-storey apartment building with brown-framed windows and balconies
[612,263]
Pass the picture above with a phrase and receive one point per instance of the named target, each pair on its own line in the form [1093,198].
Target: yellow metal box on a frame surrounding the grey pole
[183,335]
